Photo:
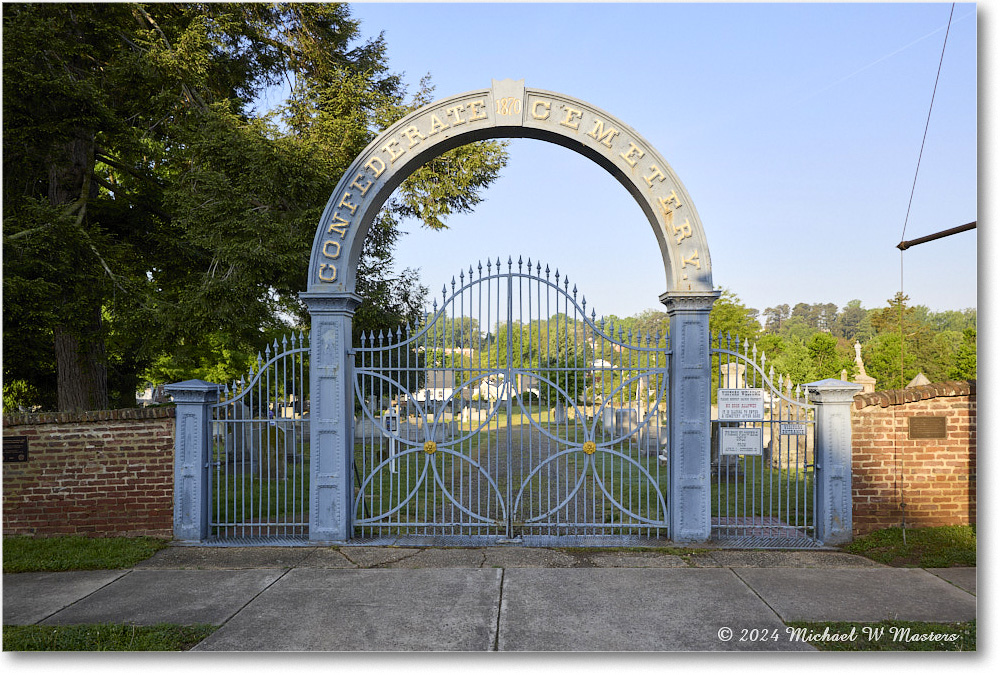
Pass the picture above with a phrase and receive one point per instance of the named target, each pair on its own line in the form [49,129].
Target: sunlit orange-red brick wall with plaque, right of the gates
[934,478]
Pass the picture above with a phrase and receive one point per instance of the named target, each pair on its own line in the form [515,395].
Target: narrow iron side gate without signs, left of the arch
[259,474]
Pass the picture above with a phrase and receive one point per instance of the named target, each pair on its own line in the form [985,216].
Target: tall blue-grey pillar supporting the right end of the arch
[689,500]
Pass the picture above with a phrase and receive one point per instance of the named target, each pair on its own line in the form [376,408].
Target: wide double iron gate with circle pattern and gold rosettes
[509,414]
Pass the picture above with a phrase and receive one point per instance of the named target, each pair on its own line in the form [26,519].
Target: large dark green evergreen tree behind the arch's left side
[148,205]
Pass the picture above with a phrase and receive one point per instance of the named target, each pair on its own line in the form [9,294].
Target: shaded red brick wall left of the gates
[104,473]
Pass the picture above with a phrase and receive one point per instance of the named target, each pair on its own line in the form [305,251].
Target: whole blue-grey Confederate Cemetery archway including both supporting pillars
[507,110]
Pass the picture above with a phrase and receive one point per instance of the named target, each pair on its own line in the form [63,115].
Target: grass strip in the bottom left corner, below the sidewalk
[104,637]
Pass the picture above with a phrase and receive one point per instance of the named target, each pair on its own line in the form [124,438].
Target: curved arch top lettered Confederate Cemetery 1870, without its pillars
[508,110]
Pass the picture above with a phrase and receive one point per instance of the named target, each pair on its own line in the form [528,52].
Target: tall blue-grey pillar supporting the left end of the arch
[331,415]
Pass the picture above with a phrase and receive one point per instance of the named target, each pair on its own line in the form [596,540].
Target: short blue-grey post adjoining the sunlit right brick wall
[833,399]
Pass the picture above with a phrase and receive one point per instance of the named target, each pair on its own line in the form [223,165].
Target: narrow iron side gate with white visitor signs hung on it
[763,444]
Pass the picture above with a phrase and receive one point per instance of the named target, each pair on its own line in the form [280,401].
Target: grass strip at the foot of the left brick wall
[61,554]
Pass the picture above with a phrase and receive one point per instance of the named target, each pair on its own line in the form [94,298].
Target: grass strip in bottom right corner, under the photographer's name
[886,636]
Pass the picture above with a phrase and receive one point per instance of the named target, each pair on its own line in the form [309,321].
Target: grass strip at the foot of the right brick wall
[950,546]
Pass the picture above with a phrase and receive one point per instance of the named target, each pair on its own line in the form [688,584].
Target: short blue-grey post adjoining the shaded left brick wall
[192,455]
